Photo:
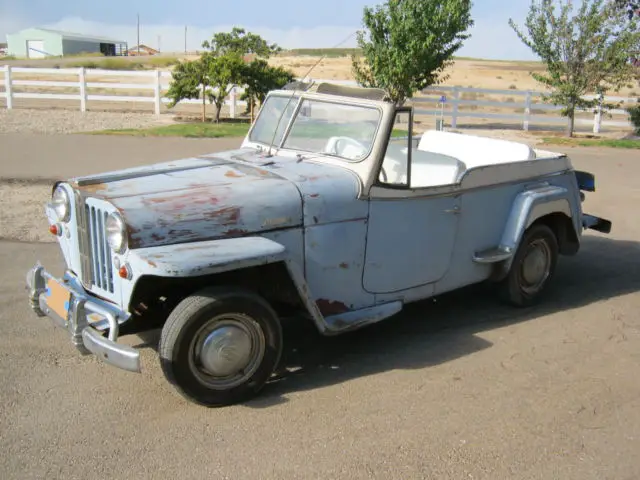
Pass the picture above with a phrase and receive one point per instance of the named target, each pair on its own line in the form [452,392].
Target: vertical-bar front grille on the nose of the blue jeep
[101,263]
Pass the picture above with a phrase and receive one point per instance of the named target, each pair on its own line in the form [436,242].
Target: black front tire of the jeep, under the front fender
[206,309]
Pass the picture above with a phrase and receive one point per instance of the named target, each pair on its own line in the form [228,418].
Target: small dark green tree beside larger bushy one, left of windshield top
[259,79]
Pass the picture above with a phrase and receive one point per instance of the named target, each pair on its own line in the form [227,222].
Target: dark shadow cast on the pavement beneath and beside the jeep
[439,330]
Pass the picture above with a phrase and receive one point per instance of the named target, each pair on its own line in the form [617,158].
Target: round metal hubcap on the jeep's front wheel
[227,351]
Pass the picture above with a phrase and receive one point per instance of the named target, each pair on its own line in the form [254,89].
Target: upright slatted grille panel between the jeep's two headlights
[98,257]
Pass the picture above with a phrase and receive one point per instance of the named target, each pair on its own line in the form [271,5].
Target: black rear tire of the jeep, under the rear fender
[514,289]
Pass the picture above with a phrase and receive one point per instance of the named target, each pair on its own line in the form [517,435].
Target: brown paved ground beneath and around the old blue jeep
[459,387]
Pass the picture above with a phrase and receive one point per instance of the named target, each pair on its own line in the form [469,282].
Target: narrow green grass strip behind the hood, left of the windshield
[187,130]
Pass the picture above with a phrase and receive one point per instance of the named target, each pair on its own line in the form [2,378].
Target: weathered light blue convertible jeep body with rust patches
[343,248]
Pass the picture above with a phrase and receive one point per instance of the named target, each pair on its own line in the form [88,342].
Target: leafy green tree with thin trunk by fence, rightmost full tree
[585,52]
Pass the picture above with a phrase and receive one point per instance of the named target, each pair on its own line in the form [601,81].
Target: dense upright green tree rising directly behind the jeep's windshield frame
[409,43]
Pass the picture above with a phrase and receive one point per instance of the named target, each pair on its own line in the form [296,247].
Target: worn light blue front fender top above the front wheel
[205,258]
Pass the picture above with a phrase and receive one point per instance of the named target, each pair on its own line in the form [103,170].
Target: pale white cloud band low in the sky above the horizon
[490,39]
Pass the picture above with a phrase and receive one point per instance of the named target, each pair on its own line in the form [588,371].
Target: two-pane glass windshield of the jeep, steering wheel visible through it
[338,129]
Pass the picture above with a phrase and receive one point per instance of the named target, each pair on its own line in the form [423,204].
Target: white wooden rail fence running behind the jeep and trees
[445,101]
